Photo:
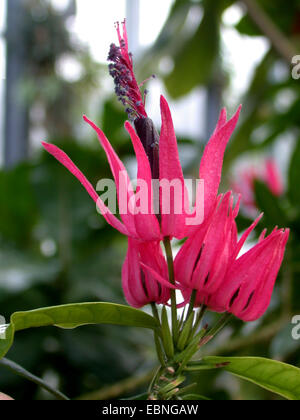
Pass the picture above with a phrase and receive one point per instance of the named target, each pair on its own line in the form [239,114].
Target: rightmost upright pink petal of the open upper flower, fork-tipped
[212,160]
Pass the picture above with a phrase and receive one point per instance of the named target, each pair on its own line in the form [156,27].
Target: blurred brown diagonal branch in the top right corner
[278,39]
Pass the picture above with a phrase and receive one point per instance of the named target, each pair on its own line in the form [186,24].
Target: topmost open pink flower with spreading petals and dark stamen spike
[162,164]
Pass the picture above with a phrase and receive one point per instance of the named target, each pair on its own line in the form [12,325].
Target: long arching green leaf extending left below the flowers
[75,315]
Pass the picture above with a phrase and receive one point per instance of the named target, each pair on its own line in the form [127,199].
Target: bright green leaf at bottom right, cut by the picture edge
[280,378]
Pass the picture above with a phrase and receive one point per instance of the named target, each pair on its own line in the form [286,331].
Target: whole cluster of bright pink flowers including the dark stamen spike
[208,264]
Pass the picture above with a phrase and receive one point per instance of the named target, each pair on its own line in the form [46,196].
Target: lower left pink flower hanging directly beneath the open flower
[139,285]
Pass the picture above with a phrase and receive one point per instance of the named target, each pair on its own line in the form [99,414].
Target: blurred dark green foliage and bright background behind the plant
[55,248]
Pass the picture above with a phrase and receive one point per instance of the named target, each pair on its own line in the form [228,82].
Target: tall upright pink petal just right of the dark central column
[170,170]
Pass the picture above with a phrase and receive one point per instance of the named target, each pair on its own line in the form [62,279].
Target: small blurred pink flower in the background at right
[267,173]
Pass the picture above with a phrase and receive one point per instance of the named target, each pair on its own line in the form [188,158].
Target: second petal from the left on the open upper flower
[123,184]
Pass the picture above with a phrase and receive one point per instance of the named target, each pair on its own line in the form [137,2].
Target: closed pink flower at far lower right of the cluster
[248,285]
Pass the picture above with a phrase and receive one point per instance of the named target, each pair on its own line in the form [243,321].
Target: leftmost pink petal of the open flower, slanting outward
[64,159]
